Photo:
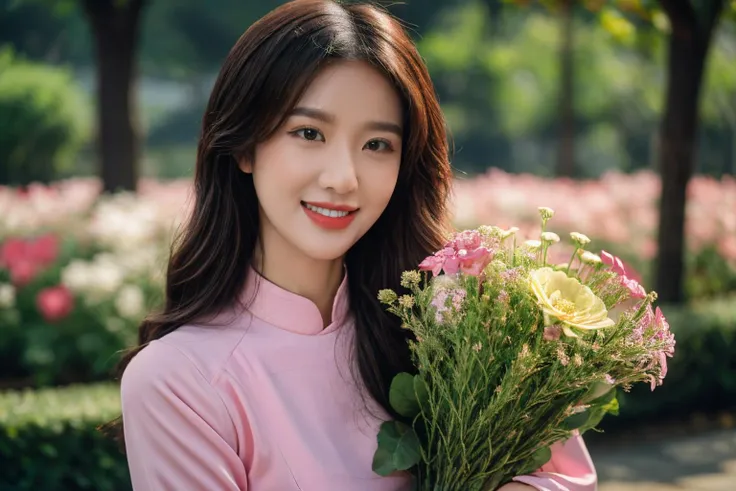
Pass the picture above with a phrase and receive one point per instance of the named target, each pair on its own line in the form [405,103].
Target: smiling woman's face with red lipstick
[325,176]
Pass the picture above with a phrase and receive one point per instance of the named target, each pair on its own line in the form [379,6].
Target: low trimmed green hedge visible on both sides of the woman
[48,438]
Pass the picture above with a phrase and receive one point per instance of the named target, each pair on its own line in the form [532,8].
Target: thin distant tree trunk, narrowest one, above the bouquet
[566,148]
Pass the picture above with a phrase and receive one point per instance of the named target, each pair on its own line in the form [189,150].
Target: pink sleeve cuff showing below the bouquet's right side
[569,469]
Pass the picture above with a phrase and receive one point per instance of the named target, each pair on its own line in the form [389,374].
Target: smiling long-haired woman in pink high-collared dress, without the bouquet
[322,173]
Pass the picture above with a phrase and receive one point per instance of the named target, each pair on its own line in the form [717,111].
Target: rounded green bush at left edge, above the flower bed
[43,117]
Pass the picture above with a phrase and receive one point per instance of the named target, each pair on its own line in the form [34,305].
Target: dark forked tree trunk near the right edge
[687,51]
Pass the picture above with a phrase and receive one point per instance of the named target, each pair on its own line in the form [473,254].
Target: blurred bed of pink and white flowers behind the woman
[78,271]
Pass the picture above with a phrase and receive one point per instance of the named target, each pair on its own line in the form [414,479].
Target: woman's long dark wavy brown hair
[261,80]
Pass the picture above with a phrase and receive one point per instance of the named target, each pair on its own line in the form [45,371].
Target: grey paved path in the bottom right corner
[703,462]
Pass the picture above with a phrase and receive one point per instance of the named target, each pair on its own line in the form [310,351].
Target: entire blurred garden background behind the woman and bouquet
[620,115]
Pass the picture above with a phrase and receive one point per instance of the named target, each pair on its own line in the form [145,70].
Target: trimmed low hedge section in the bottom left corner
[49,440]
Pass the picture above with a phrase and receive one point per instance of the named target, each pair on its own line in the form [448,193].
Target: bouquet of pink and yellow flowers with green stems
[512,355]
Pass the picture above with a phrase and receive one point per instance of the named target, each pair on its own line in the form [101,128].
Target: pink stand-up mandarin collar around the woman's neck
[290,311]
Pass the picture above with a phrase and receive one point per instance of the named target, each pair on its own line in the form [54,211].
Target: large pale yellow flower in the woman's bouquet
[569,301]
